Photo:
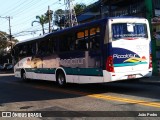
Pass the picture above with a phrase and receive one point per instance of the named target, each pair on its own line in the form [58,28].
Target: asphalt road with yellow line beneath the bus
[100,101]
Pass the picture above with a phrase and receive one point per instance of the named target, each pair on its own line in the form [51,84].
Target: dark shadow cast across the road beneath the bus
[16,90]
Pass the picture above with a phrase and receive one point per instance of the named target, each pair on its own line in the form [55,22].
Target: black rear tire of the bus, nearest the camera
[61,80]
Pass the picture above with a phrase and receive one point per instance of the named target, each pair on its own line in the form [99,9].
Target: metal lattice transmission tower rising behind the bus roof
[70,15]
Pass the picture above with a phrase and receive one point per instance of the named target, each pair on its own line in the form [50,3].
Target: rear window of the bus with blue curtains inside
[129,30]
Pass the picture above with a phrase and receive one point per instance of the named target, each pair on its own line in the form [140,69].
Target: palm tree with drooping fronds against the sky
[41,20]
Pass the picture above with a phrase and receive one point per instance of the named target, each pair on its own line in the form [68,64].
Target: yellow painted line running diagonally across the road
[97,96]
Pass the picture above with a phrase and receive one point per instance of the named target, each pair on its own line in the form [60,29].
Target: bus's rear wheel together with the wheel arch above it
[60,77]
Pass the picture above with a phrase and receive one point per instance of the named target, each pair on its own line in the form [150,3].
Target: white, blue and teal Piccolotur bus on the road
[105,50]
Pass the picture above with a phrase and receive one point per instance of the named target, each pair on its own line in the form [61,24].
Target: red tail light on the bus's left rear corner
[109,64]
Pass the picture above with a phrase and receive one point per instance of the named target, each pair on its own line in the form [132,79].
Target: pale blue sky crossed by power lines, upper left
[23,12]
